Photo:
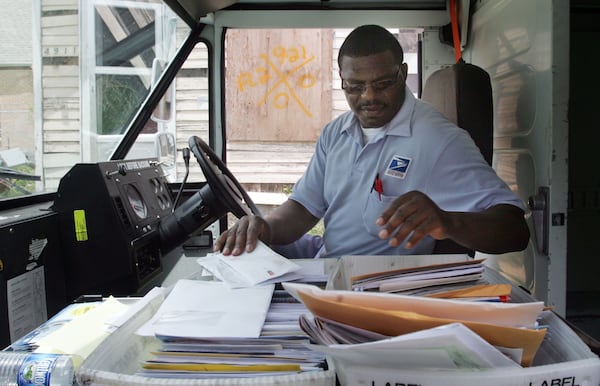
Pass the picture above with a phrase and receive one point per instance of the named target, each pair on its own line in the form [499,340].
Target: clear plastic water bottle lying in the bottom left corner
[26,368]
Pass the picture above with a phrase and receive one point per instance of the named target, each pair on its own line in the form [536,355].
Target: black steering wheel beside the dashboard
[223,184]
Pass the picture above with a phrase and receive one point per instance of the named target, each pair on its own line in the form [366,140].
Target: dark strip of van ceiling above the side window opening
[191,11]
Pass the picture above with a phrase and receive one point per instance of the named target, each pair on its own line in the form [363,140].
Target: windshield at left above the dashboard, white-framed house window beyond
[72,75]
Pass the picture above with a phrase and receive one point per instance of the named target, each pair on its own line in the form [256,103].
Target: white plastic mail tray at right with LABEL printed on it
[562,360]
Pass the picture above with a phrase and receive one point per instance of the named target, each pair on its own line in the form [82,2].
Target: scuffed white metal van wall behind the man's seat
[523,45]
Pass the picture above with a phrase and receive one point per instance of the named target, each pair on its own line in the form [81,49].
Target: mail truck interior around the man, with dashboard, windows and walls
[133,132]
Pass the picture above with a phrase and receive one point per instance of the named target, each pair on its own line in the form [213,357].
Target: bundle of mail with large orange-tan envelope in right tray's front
[422,331]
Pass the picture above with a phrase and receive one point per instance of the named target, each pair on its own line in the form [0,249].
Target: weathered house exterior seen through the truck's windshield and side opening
[64,102]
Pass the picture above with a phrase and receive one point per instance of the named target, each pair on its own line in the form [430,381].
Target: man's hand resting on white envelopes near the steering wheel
[243,236]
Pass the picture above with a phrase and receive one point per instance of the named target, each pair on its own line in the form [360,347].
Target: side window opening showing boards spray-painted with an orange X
[280,93]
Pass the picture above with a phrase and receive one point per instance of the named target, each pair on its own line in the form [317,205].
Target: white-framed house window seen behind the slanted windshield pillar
[128,44]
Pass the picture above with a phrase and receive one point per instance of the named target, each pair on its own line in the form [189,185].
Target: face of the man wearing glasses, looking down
[374,87]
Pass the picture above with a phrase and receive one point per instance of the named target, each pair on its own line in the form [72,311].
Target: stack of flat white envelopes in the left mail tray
[208,330]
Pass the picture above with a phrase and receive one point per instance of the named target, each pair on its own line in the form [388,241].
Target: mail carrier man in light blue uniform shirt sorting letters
[390,176]
